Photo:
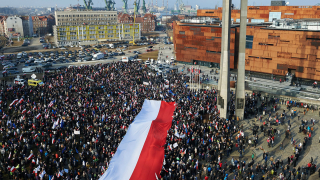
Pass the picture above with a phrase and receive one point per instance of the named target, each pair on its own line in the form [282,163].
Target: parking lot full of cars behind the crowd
[46,61]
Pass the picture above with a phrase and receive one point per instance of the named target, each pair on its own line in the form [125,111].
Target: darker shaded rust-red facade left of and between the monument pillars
[201,44]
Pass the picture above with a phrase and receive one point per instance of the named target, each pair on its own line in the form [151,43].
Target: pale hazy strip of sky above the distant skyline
[119,3]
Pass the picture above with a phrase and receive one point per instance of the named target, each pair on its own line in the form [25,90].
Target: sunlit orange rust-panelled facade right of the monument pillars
[278,51]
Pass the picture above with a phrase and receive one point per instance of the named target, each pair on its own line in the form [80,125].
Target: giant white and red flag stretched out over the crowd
[141,152]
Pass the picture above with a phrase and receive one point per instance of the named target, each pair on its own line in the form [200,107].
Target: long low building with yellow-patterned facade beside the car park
[74,35]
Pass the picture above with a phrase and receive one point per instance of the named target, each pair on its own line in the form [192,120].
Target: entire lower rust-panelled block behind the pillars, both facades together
[268,50]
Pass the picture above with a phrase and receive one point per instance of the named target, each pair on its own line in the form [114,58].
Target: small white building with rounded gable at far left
[13,25]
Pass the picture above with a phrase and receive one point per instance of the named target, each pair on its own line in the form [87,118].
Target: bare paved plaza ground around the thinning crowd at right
[283,146]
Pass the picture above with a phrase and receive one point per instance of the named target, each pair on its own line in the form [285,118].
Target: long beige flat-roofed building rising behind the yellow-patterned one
[77,18]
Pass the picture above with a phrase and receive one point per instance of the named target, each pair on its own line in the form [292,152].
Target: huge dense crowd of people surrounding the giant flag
[70,127]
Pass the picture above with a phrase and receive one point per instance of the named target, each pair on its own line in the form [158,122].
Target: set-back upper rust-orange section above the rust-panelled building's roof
[267,13]
